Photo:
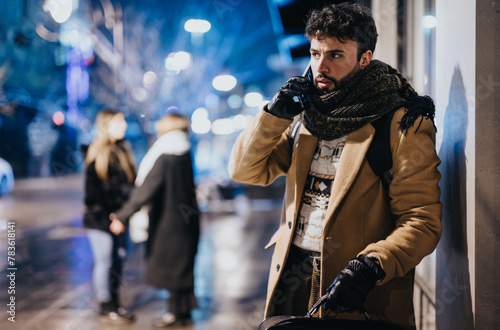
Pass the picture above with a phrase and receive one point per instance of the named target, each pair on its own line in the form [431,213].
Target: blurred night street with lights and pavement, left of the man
[63,61]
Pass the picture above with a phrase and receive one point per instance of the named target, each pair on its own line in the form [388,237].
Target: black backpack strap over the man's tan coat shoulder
[379,154]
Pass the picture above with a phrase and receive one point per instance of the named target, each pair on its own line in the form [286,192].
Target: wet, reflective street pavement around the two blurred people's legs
[48,283]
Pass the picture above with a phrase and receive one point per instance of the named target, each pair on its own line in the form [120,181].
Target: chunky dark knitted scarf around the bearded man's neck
[373,92]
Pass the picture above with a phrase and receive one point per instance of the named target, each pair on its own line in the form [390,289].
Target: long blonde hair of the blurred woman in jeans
[101,148]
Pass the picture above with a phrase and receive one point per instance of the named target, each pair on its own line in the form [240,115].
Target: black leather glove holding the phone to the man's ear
[290,99]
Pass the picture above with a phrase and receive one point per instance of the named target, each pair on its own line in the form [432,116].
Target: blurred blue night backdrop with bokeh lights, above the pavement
[61,61]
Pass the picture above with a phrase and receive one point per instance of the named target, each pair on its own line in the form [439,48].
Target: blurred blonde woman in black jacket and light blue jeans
[109,178]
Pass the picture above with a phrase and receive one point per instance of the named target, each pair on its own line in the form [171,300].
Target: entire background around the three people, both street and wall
[217,61]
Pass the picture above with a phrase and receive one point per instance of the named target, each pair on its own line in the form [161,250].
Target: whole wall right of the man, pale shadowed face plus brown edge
[467,79]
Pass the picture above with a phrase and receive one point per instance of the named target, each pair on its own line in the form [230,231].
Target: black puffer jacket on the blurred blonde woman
[103,198]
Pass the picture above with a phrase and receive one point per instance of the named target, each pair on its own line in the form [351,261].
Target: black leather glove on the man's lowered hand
[352,285]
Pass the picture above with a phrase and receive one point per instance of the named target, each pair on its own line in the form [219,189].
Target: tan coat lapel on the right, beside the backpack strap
[352,157]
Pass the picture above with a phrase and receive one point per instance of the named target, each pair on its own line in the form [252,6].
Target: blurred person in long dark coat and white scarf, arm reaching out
[169,191]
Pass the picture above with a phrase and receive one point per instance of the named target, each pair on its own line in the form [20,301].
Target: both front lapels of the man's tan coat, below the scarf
[353,155]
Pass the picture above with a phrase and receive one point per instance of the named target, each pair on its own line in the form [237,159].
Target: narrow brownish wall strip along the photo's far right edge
[487,190]
